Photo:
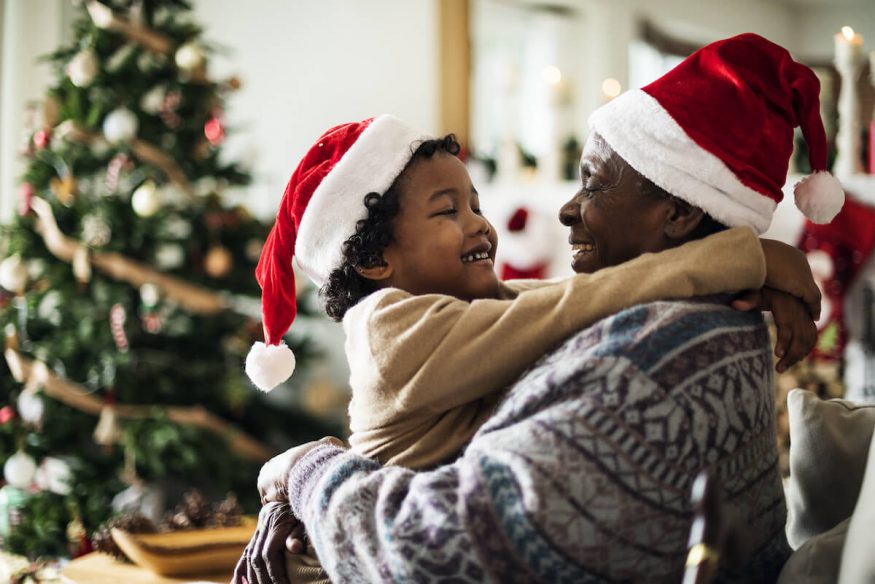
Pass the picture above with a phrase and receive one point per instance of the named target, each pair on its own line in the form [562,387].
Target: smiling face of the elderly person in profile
[614,217]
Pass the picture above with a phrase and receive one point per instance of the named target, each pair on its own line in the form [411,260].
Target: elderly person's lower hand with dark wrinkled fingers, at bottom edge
[263,561]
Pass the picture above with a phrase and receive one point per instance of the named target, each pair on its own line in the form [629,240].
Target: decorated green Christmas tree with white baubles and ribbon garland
[128,298]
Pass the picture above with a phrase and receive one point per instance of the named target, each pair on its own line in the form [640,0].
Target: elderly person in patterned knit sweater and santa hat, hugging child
[583,473]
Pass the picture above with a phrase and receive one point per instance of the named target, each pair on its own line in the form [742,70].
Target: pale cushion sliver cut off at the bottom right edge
[858,561]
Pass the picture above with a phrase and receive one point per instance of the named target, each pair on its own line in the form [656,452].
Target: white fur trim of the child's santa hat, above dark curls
[370,165]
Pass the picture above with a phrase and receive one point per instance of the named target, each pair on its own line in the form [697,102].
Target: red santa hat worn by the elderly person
[717,132]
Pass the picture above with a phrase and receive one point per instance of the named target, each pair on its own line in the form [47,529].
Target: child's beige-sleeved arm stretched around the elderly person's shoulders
[444,352]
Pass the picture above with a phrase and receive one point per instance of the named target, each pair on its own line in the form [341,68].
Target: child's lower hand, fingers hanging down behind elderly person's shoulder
[797,333]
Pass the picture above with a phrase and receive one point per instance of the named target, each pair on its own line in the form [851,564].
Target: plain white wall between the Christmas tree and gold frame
[310,64]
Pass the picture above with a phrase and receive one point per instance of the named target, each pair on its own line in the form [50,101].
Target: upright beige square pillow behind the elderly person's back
[829,446]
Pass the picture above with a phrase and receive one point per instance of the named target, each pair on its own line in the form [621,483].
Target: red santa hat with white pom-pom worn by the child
[319,210]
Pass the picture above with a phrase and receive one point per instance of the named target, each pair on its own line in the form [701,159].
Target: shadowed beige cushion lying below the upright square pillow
[818,560]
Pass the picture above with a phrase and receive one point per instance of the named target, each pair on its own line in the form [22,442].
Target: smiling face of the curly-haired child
[442,244]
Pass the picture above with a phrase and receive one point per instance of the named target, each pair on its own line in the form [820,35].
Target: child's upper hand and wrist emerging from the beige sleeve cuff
[787,270]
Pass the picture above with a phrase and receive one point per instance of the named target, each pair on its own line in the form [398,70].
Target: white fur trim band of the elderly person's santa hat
[637,127]
